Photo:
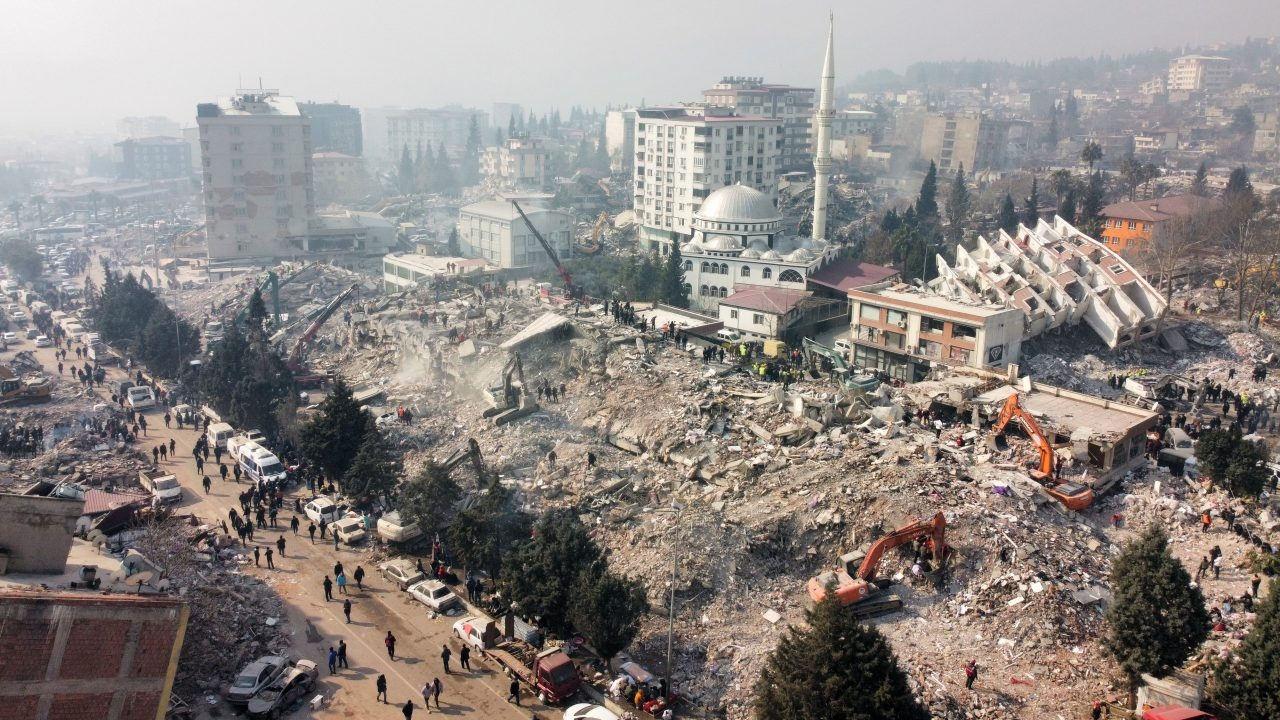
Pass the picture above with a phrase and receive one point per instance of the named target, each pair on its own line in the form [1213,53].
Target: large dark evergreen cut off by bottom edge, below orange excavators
[834,669]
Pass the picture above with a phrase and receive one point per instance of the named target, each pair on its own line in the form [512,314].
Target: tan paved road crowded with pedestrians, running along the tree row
[298,577]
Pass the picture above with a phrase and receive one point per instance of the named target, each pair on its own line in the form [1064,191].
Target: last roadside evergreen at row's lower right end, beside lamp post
[607,609]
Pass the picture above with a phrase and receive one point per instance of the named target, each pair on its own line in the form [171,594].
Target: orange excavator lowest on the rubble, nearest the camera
[854,582]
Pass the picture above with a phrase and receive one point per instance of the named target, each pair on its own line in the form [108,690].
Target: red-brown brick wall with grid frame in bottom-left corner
[88,657]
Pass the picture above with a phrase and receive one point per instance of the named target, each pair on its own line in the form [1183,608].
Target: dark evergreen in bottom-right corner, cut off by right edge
[1247,687]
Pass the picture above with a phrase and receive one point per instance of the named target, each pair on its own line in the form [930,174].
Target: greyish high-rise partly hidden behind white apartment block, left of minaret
[790,104]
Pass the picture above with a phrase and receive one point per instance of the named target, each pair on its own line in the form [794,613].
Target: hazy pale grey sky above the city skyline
[80,65]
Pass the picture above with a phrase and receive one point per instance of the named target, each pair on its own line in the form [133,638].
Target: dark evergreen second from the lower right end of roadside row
[541,575]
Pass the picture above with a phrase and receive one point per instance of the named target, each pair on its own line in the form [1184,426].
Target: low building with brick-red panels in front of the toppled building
[903,332]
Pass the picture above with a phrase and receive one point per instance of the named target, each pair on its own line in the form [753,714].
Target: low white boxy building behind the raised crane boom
[492,230]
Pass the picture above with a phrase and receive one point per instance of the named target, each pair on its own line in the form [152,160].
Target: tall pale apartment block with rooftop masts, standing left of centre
[257,167]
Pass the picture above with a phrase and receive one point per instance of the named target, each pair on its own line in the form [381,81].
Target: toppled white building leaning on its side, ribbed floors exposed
[1057,276]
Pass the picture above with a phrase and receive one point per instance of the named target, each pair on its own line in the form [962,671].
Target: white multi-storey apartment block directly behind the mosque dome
[685,153]
